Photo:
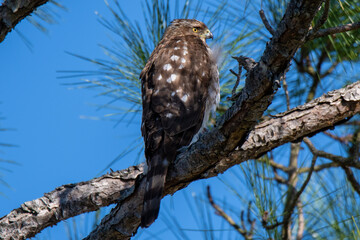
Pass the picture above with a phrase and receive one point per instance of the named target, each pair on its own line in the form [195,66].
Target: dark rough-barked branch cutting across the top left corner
[13,11]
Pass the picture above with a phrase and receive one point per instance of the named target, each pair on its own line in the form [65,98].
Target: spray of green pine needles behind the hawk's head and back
[118,75]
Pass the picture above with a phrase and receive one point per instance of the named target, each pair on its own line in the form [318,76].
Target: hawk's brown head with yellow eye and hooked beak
[188,27]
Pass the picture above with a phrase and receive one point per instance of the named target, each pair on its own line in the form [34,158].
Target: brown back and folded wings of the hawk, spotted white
[176,88]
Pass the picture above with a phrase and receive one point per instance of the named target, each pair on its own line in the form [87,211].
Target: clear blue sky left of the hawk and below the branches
[55,145]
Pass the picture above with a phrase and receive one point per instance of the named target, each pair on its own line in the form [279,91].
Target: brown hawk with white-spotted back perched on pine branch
[180,88]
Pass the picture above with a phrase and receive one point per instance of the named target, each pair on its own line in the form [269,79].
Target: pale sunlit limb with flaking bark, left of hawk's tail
[68,201]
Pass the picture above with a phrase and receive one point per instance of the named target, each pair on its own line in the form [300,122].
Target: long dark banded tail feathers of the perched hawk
[155,181]
